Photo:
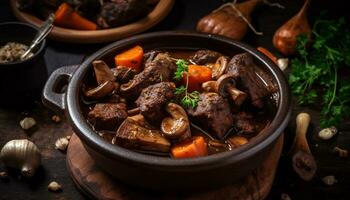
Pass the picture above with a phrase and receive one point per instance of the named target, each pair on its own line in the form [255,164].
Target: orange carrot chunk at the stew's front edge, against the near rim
[195,147]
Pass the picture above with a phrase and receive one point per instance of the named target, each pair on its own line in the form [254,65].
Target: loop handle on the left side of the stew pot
[54,93]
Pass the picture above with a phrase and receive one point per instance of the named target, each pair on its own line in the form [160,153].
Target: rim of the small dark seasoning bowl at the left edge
[36,54]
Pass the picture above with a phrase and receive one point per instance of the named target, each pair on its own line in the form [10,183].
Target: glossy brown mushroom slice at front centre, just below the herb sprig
[177,126]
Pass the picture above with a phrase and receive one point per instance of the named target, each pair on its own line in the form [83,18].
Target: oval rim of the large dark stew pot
[264,139]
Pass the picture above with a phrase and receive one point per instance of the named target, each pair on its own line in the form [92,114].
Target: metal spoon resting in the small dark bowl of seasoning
[44,30]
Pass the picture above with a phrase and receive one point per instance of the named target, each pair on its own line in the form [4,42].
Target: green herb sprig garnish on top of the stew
[189,99]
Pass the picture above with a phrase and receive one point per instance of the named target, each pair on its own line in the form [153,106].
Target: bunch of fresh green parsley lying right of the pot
[316,75]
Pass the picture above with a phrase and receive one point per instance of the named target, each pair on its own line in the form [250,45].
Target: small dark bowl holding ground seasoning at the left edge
[21,82]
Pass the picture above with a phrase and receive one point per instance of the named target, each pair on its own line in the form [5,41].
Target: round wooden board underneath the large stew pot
[97,184]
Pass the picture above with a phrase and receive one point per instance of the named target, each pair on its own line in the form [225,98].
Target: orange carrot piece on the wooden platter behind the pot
[66,17]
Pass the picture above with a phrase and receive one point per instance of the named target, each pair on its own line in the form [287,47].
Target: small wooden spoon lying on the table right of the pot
[304,163]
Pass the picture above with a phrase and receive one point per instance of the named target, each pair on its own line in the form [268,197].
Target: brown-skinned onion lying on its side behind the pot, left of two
[230,20]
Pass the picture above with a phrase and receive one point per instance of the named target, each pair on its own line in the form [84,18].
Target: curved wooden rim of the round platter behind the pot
[160,11]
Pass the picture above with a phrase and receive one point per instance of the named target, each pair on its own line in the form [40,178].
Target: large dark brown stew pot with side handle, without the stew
[159,172]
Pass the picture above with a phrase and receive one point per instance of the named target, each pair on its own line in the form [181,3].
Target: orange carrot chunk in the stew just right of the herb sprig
[197,74]
